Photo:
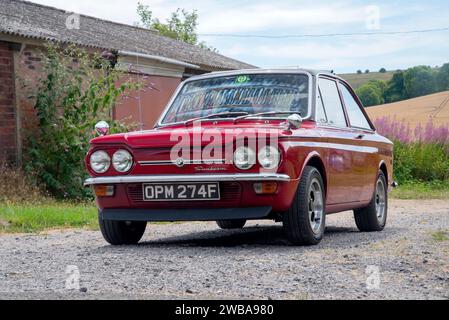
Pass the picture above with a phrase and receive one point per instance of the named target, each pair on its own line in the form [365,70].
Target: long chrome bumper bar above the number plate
[189,178]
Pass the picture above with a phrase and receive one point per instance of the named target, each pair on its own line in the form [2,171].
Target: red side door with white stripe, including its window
[345,176]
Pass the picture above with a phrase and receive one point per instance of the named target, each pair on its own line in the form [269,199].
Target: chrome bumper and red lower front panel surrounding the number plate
[237,193]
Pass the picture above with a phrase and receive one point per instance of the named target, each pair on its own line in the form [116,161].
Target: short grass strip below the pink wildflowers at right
[421,190]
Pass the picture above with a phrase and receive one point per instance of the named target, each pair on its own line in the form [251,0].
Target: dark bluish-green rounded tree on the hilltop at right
[419,81]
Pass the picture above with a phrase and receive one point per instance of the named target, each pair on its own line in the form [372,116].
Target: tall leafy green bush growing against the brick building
[78,90]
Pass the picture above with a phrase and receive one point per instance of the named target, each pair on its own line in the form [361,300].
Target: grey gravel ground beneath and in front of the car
[199,261]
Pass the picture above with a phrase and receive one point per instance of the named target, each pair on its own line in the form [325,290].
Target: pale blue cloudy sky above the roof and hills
[234,20]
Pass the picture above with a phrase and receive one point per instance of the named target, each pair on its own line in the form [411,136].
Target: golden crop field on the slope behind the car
[418,110]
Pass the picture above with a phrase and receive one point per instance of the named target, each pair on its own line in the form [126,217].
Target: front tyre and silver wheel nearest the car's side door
[304,223]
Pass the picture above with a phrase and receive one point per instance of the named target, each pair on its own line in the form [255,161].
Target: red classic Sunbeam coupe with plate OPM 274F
[287,145]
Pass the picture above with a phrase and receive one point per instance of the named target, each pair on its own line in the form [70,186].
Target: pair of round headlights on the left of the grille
[100,161]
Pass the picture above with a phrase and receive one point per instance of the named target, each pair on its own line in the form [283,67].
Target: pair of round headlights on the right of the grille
[245,158]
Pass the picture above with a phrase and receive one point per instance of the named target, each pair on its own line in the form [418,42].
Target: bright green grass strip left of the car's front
[33,218]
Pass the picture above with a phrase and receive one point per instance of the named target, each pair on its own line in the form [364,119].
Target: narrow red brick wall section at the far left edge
[8,147]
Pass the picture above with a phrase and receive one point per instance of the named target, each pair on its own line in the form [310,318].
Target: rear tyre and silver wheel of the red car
[374,216]
